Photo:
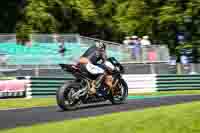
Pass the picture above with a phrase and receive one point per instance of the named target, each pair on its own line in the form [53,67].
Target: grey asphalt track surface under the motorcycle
[29,116]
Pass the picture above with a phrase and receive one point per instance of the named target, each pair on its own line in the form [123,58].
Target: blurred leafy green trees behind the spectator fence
[113,19]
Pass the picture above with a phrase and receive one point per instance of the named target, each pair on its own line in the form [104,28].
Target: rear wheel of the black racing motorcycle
[64,97]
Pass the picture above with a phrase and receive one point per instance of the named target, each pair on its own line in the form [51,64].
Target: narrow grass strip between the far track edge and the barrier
[27,103]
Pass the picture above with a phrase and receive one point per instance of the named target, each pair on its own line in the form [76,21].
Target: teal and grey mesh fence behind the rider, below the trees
[45,50]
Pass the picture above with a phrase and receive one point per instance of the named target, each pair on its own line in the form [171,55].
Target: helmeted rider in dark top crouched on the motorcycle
[92,60]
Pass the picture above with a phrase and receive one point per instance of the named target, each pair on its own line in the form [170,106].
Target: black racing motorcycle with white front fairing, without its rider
[75,92]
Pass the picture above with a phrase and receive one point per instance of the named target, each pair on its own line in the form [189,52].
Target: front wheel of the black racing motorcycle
[122,93]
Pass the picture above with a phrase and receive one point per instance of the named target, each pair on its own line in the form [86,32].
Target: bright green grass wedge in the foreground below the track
[181,118]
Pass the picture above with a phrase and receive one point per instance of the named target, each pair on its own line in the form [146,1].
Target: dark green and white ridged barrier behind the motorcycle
[47,86]
